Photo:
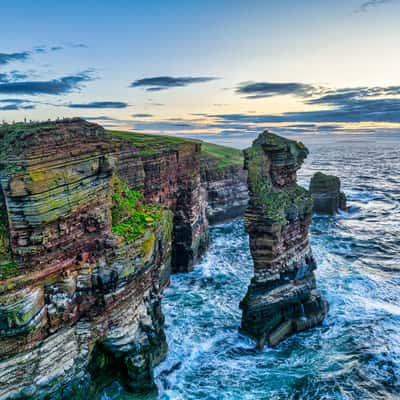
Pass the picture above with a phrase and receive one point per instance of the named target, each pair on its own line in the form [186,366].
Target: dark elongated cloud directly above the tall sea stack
[257,90]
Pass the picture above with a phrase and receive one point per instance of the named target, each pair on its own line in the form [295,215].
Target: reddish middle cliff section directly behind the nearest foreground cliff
[167,170]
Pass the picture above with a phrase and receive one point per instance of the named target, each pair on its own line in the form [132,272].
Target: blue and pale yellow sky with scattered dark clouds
[228,68]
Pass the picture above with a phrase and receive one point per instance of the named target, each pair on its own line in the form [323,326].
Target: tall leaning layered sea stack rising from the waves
[282,297]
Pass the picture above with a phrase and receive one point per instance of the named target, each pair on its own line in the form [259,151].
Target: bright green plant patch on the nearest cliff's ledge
[131,216]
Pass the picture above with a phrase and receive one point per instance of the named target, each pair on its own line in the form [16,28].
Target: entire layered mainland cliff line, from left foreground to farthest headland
[92,223]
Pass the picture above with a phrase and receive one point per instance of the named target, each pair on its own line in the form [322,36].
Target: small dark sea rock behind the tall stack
[326,194]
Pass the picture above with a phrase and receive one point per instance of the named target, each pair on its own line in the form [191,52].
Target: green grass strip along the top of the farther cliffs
[150,144]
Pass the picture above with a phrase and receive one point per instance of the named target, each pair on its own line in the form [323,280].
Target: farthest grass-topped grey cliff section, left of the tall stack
[225,181]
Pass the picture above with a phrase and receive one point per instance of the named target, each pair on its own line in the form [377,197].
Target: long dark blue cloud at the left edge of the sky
[59,86]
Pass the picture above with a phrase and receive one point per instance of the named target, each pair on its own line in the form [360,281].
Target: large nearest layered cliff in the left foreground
[80,292]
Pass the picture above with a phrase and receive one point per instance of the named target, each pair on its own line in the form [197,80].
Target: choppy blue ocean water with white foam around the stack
[354,354]
